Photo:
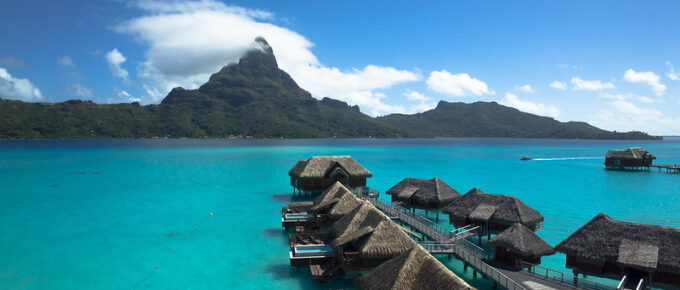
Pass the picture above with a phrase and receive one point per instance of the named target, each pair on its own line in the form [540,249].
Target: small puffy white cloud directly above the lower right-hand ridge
[456,85]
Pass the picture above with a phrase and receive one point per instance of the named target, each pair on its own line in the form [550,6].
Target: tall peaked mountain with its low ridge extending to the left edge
[251,98]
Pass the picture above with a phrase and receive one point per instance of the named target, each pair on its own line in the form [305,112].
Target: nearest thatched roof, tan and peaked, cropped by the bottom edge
[415,269]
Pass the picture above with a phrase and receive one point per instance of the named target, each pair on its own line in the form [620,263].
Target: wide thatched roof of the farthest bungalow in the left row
[322,166]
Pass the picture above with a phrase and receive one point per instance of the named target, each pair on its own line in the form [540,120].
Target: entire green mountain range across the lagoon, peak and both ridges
[255,98]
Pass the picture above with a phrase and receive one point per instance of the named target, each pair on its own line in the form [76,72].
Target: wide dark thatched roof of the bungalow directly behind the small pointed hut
[477,204]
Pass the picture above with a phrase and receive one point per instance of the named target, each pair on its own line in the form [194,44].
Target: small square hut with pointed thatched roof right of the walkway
[519,244]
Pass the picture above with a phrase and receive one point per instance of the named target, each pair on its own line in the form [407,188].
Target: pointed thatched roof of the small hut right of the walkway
[522,241]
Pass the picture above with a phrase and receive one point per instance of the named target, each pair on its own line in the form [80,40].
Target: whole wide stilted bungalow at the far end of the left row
[320,172]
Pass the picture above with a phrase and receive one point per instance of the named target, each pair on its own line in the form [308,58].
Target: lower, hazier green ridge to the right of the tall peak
[489,119]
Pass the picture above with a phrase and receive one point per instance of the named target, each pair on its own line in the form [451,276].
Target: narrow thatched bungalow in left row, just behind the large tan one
[330,211]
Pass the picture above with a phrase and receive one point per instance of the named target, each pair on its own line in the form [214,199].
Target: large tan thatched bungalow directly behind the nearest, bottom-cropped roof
[366,238]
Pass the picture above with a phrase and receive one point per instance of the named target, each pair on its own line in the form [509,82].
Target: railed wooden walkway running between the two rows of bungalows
[456,244]
